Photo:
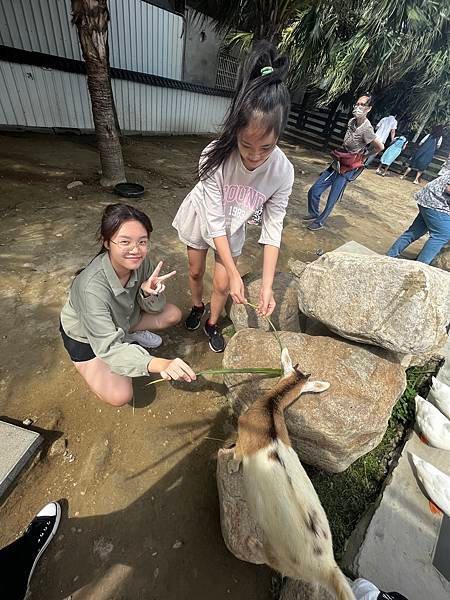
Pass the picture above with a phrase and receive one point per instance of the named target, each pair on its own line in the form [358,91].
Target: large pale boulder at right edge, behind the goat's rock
[399,305]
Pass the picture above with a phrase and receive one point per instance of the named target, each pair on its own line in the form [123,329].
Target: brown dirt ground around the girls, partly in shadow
[140,510]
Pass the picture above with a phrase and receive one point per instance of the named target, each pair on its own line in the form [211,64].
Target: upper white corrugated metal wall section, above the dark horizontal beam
[142,37]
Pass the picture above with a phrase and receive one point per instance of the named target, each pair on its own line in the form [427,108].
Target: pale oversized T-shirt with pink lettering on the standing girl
[222,203]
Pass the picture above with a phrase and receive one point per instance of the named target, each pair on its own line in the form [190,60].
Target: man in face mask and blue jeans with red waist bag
[359,135]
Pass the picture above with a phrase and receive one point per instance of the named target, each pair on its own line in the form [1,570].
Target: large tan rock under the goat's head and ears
[333,429]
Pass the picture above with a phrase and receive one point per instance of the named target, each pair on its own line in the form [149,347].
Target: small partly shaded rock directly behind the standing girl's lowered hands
[285,315]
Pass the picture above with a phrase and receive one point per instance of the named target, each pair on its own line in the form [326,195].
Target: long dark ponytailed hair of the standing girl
[260,93]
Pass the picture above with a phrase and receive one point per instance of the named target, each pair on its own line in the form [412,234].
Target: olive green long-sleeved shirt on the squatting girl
[100,311]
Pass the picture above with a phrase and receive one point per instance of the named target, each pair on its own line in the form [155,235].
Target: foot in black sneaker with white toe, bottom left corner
[18,560]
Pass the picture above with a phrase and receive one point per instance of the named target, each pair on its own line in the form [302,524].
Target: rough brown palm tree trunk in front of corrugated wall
[91,19]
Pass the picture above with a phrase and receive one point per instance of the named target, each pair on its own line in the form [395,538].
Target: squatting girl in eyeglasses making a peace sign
[114,304]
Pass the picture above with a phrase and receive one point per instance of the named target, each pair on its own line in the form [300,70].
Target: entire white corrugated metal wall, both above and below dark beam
[143,38]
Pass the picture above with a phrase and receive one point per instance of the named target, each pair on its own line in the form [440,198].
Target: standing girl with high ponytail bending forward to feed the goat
[242,171]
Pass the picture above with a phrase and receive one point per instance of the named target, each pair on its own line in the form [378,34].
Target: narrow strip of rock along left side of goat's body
[238,527]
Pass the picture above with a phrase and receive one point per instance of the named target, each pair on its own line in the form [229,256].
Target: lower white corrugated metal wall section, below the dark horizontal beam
[36,97]
